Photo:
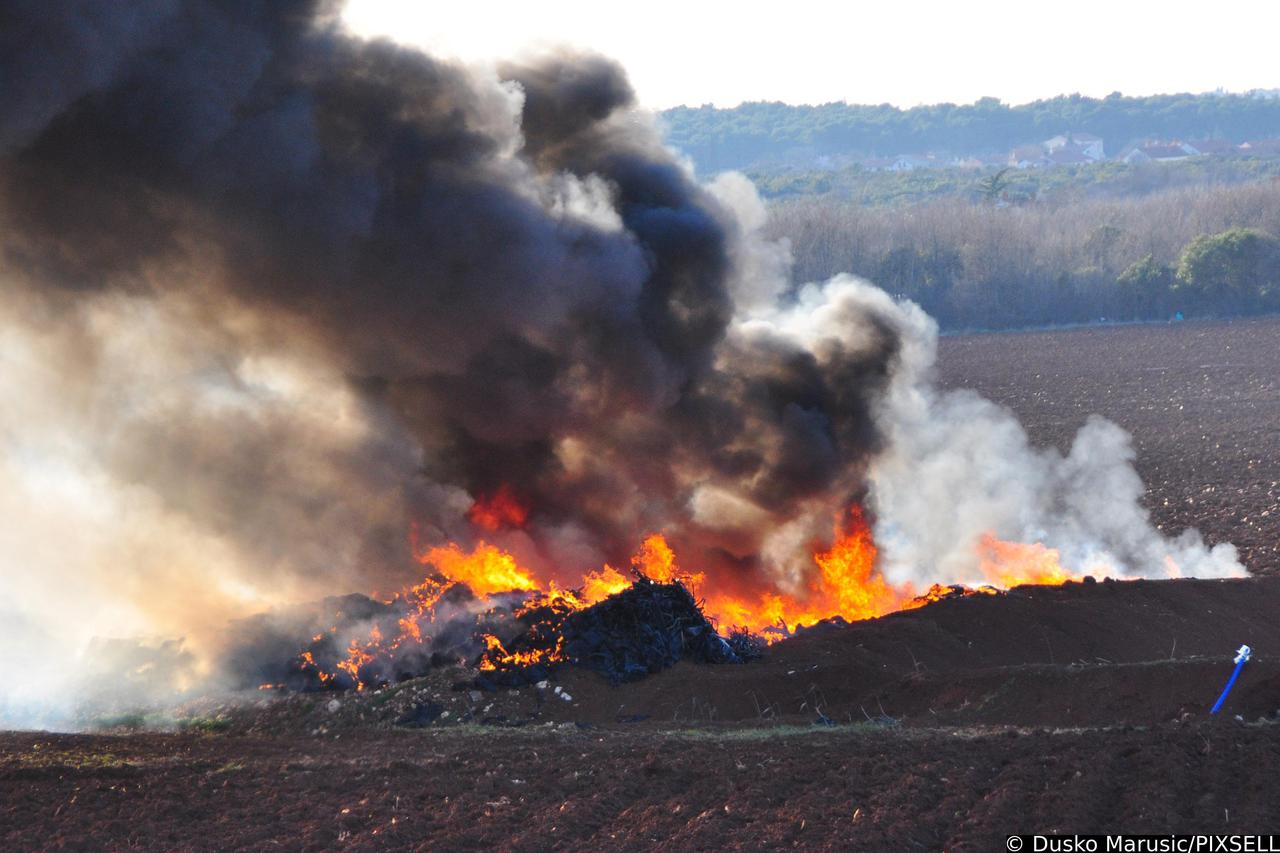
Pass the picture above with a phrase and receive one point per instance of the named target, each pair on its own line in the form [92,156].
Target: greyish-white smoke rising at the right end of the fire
[958,467]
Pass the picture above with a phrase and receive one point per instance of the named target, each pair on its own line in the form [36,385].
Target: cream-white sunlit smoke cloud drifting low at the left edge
[127,508]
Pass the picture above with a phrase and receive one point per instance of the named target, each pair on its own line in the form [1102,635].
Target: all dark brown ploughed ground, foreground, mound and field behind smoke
[1050,709]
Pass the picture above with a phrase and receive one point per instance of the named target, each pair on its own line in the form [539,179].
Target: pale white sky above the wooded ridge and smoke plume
[806,52]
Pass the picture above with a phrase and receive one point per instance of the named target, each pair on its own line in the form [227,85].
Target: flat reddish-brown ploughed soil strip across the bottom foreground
[573,790]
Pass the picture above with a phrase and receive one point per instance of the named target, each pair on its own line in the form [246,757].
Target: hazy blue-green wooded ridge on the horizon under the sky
[772,134]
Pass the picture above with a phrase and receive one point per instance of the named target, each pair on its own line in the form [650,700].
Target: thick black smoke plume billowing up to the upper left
[510,267]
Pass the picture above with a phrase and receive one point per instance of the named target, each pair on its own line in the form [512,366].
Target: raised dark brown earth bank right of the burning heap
[1104,654]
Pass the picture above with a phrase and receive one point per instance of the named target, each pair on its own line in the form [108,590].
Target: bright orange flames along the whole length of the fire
[847,583]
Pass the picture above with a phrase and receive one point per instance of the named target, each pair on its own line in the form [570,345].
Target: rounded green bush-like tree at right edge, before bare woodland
[1233,272]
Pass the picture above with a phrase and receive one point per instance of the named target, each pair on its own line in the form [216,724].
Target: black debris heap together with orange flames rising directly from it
[483,610]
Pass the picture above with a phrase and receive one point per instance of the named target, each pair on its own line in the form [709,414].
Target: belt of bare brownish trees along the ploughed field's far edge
[1209,252]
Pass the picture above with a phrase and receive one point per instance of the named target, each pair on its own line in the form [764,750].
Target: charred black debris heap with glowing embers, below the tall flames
[513,638]
